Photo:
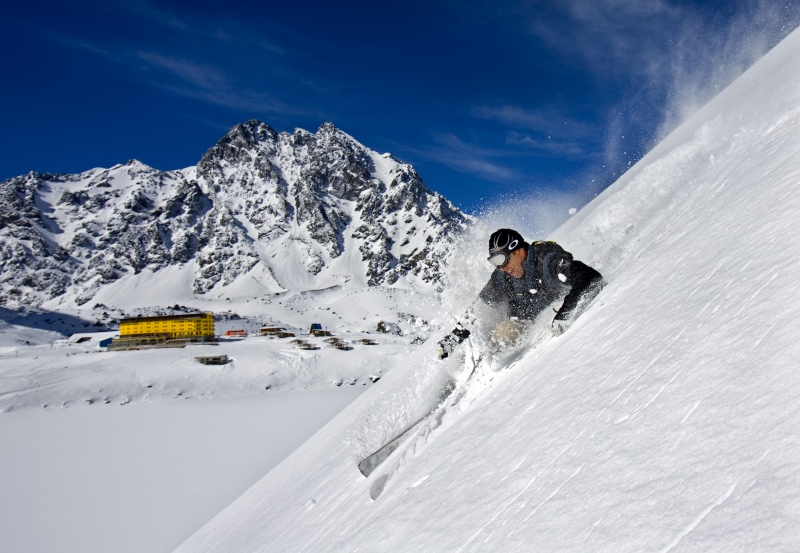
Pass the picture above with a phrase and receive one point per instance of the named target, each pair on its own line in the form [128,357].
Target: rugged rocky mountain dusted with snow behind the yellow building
[286,212]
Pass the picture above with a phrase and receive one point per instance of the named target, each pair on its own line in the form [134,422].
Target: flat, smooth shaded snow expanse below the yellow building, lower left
[145,476]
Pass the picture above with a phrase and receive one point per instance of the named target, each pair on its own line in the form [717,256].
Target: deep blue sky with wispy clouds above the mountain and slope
[487,100]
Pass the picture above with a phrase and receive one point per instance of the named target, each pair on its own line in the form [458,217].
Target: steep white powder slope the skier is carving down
[666,419]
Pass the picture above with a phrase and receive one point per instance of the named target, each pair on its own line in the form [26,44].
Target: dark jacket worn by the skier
[550,275]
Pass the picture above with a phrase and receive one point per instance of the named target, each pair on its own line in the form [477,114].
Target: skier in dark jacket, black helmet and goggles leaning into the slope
[528,278]
